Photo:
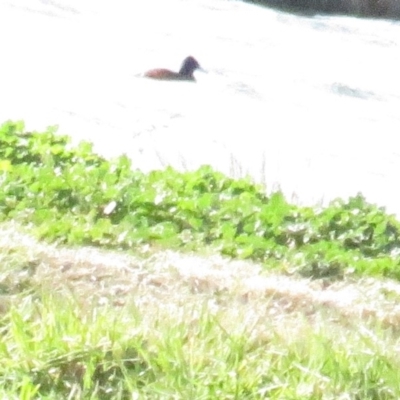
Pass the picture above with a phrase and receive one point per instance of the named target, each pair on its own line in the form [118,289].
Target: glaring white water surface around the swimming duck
[309,104]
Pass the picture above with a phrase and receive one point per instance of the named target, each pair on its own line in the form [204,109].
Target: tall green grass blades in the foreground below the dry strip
[52,349]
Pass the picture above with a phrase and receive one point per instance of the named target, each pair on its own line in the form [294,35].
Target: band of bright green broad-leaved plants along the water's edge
[71,195]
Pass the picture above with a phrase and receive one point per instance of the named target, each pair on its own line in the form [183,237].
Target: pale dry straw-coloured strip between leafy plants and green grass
[161,282]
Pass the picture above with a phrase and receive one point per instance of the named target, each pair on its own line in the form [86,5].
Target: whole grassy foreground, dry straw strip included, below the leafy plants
[91,324]
